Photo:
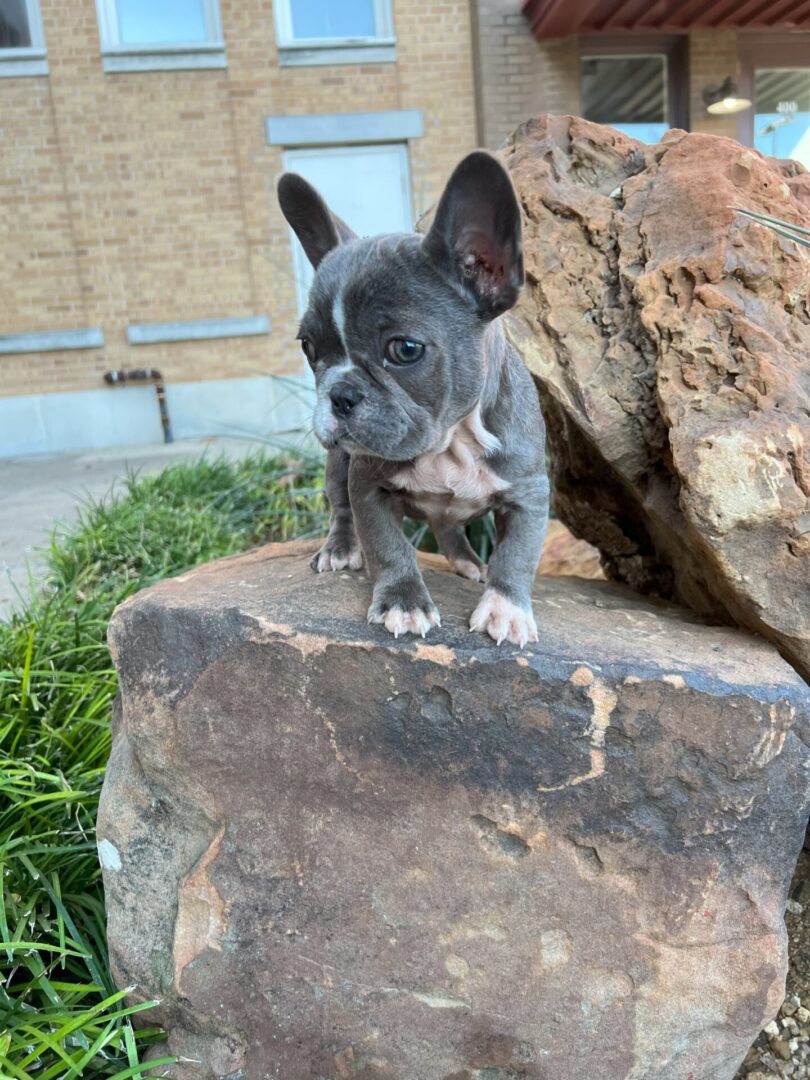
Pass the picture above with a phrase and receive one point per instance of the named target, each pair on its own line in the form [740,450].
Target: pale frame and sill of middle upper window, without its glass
[160,56]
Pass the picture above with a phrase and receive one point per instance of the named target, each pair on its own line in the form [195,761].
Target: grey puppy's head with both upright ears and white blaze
[396,327]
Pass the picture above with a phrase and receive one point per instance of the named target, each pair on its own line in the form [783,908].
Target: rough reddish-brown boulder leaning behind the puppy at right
[671,342]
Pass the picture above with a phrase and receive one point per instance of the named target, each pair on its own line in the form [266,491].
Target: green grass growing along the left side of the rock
[61,1016]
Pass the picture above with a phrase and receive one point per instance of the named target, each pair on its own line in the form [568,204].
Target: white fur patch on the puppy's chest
[454,483]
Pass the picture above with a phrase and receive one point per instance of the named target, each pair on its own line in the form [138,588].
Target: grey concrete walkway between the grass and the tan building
[38,494]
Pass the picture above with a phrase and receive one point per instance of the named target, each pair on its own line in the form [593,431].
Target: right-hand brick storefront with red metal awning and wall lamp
[647,65]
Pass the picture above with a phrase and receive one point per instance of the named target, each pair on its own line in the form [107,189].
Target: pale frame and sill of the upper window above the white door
[379,48]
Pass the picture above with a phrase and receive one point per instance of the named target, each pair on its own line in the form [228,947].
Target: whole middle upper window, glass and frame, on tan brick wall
[157,35]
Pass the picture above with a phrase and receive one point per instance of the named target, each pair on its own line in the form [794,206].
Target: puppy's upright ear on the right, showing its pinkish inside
[476,239]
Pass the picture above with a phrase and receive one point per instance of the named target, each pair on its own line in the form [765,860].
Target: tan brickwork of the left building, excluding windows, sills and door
[148,197]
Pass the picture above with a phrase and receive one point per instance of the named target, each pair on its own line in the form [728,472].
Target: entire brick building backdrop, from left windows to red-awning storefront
[141,142]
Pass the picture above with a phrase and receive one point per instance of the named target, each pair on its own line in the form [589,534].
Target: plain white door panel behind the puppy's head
[368,186]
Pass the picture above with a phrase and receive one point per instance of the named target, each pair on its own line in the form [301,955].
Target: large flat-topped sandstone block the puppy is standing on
[332,855]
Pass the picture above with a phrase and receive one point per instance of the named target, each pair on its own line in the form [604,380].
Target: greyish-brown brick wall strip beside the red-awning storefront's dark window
[521,77]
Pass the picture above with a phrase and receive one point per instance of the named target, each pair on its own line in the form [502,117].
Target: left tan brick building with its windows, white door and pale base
[142,141]
